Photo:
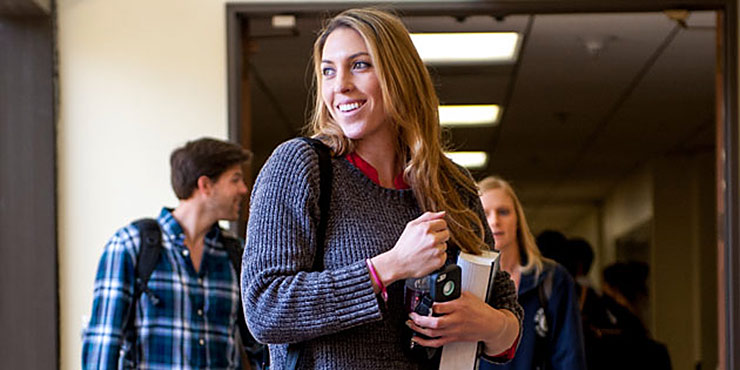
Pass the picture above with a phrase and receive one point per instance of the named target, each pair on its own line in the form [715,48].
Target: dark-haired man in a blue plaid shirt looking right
[187,318]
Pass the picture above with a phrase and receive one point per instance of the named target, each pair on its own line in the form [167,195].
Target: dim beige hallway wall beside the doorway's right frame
[683,271]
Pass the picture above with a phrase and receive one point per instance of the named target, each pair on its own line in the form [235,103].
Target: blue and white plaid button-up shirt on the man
[194,324]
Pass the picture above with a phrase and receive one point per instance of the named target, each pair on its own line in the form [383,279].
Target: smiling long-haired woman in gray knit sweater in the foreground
[397,204]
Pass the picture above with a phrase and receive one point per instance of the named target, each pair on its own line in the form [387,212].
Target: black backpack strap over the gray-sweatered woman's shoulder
[325,176]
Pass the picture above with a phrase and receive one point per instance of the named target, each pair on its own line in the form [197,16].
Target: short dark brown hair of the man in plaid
[202,157]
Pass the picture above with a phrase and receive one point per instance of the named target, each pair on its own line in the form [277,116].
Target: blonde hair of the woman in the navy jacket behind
[525,240]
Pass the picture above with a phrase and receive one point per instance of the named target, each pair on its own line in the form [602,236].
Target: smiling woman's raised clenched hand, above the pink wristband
[420,250]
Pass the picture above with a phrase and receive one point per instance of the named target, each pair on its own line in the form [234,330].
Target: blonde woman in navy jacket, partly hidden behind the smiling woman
[552,335]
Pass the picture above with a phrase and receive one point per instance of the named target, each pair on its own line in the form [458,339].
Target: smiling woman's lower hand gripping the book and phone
[466,319]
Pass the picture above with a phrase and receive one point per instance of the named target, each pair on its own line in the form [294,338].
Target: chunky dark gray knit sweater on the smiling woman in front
[334,312]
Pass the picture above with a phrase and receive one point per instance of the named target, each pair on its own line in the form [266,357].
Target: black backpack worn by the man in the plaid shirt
[151,247]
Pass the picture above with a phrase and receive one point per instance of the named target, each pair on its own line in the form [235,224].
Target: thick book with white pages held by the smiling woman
[477,278]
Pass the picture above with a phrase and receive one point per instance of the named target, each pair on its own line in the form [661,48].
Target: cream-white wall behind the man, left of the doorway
[138,78]
